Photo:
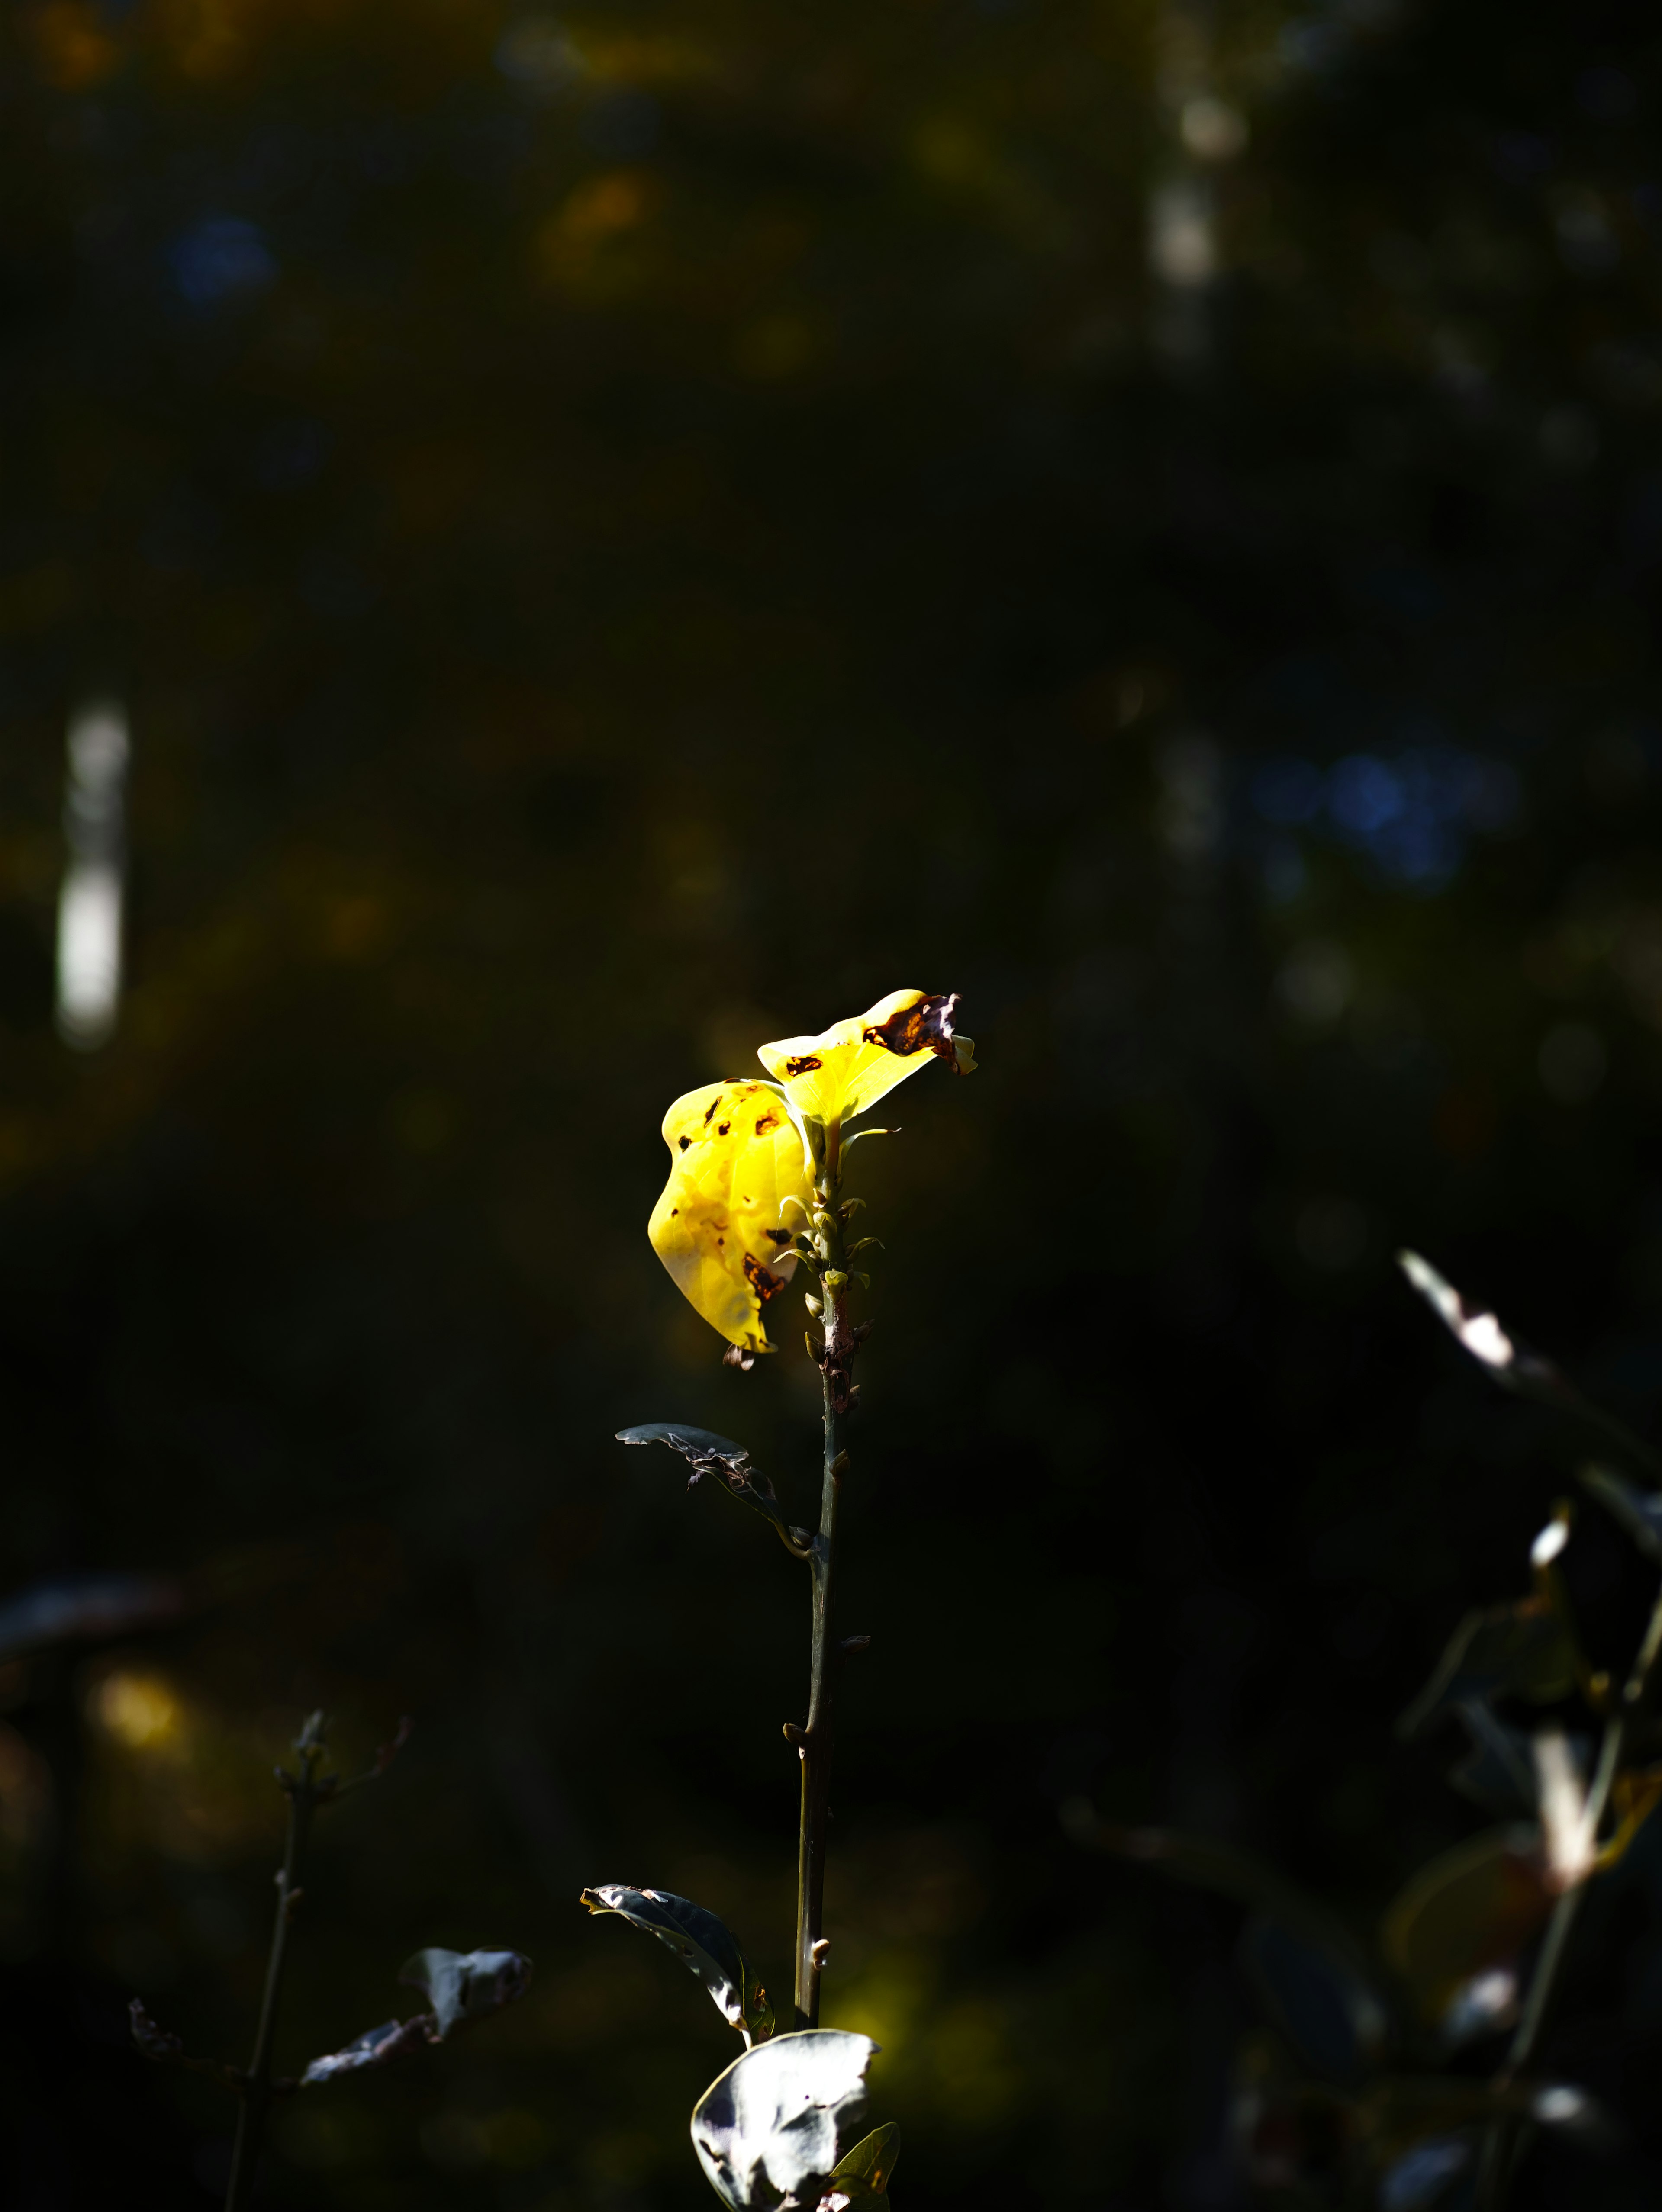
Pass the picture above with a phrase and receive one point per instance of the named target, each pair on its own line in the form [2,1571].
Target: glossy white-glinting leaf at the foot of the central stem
[776,2122]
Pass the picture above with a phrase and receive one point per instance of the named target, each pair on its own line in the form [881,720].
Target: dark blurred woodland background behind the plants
[546,550]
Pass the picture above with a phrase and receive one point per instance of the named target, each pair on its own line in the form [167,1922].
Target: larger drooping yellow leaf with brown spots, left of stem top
[736,1158]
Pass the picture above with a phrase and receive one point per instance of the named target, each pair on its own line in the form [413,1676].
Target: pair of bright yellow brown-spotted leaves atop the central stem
[740,1154]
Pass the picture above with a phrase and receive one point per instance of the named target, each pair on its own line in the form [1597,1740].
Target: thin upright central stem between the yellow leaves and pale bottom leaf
[822,1563]
